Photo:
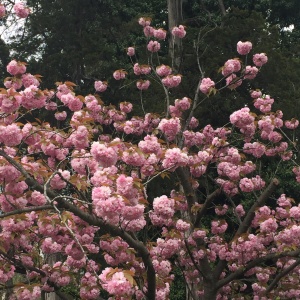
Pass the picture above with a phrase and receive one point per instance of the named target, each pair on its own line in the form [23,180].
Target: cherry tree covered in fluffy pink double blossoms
[78,186]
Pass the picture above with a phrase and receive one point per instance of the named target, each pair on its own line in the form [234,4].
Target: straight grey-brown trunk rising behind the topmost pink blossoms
[175,44]
